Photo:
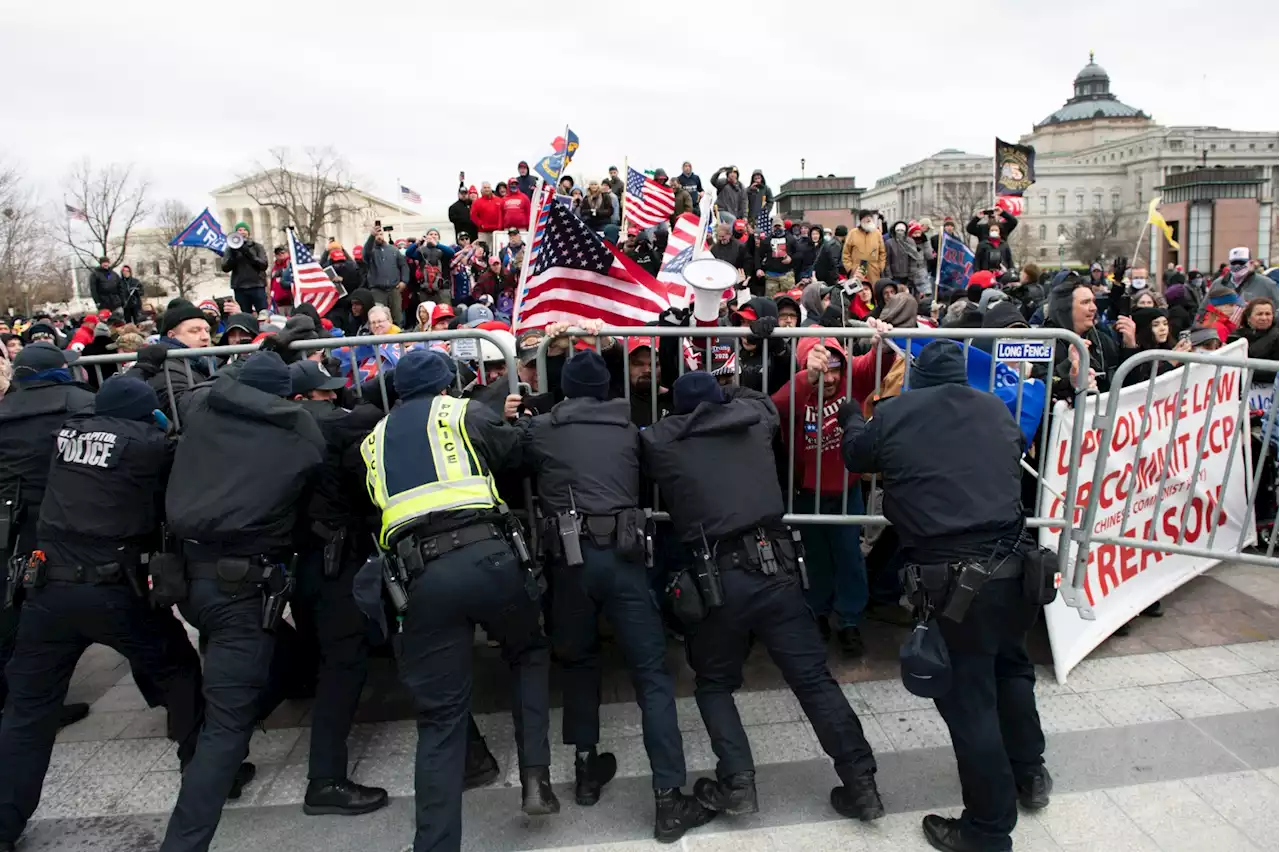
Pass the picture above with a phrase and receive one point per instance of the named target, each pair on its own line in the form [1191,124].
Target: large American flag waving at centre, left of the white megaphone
[577,277]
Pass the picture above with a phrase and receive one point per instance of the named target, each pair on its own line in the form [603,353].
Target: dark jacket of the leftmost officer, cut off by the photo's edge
[30,418]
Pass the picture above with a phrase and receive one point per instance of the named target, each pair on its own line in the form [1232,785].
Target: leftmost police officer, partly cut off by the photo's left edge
[44,396]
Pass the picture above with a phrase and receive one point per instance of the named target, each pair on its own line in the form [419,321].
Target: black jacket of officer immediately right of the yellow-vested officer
[591,447]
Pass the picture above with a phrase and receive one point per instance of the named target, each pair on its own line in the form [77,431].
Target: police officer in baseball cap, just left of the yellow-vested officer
[323,606]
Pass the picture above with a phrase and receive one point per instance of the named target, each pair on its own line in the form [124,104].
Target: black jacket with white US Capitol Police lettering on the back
[106,492]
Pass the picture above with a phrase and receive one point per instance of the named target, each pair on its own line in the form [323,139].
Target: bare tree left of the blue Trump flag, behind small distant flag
[113,200]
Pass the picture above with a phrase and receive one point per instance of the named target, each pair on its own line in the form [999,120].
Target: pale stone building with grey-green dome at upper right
[1099,164]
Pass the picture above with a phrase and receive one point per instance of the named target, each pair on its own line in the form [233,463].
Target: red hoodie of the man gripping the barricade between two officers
[804,442]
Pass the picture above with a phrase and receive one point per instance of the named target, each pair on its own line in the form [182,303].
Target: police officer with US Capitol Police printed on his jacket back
[98,521]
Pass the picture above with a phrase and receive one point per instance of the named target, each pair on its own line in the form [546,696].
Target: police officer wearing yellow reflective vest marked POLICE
[445,530]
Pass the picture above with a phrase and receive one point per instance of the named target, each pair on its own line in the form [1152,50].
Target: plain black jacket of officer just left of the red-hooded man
[715,466]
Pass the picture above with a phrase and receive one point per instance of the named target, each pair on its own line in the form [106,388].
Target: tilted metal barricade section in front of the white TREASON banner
[1105,424]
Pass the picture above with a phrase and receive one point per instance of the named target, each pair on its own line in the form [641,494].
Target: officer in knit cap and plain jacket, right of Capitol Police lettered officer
[240,477]
